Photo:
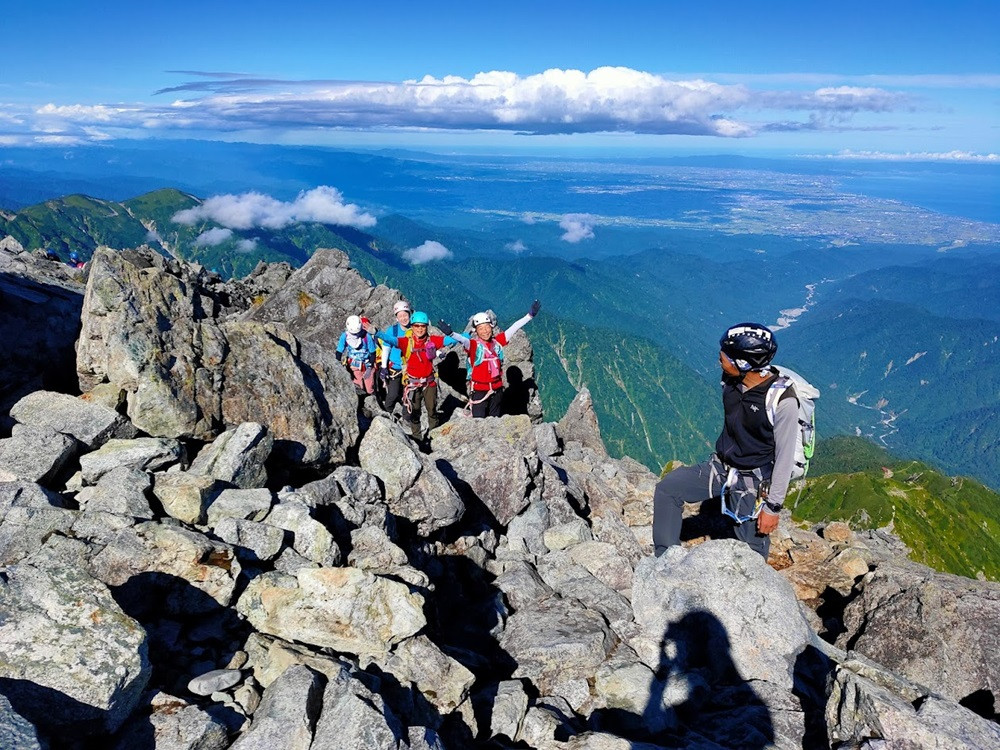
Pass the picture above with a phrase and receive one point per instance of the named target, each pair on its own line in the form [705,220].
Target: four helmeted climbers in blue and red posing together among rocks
[406,364]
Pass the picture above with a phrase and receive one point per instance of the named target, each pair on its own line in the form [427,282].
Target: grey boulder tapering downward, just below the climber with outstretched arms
[494,458]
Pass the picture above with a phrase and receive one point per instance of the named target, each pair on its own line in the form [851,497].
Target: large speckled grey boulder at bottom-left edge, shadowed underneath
[72,659]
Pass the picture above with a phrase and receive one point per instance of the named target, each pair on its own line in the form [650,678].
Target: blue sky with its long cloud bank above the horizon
[876,78]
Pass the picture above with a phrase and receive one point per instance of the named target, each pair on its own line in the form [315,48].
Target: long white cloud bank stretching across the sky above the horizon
[555,101]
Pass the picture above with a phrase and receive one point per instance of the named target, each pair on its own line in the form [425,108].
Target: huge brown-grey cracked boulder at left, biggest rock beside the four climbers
[196,376]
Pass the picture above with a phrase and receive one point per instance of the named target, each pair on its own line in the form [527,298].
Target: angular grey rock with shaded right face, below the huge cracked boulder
[237,456]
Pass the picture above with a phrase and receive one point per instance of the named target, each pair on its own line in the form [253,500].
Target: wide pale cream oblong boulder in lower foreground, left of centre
[345,609]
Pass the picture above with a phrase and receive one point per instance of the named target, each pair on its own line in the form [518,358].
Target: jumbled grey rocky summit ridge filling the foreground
[206,542]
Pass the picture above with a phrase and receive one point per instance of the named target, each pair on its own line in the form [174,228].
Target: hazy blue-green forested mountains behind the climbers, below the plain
[897,337]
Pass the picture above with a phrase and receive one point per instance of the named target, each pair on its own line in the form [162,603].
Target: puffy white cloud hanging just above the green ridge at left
[248,210]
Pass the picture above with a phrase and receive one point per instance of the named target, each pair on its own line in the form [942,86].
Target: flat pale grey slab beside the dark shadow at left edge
[85,421]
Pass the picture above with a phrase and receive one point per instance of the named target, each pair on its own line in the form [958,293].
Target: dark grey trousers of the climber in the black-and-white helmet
[690,484]
